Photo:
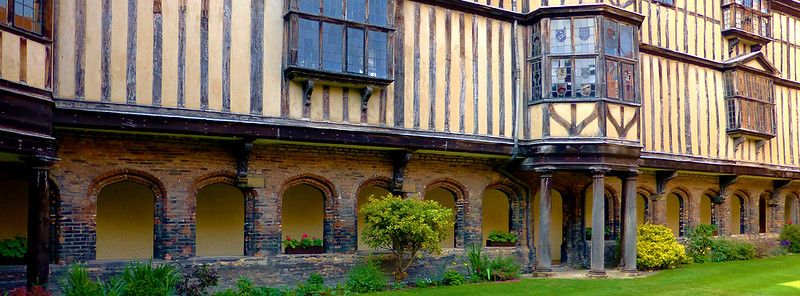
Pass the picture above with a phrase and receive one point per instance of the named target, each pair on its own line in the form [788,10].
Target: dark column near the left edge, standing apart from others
[37,259]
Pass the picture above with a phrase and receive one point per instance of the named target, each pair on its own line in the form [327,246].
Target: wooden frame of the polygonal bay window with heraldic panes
[541,56]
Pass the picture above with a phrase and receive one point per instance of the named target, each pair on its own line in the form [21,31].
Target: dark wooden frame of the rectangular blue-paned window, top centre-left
[344,76]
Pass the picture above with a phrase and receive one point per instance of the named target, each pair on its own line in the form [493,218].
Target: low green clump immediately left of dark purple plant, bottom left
[146,279]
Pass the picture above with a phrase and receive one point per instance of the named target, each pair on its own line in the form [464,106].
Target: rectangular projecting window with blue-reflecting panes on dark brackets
[340,39]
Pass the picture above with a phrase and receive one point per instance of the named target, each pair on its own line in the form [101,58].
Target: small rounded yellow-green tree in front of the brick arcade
[405,226]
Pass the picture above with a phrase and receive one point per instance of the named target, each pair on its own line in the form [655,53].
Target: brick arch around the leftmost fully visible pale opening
[159,215]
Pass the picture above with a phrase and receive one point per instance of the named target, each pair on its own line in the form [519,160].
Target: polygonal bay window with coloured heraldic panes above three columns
[583,58]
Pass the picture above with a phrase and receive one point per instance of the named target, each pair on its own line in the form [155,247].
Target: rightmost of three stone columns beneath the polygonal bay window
[629,235]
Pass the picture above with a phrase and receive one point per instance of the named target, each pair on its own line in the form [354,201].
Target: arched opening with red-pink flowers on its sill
[303,212]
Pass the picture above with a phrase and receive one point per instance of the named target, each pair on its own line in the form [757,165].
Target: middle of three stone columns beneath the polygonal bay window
[598,222]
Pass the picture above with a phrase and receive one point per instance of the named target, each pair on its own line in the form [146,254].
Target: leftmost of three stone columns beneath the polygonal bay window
[544,261]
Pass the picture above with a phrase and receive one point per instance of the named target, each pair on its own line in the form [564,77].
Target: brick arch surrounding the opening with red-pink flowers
[330,209]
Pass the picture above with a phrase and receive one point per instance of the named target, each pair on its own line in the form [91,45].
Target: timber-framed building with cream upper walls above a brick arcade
[210,130]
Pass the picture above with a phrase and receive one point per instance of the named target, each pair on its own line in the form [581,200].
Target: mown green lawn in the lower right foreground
[772,276]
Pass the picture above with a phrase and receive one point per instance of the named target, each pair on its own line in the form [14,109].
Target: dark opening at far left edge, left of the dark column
[13,208]
